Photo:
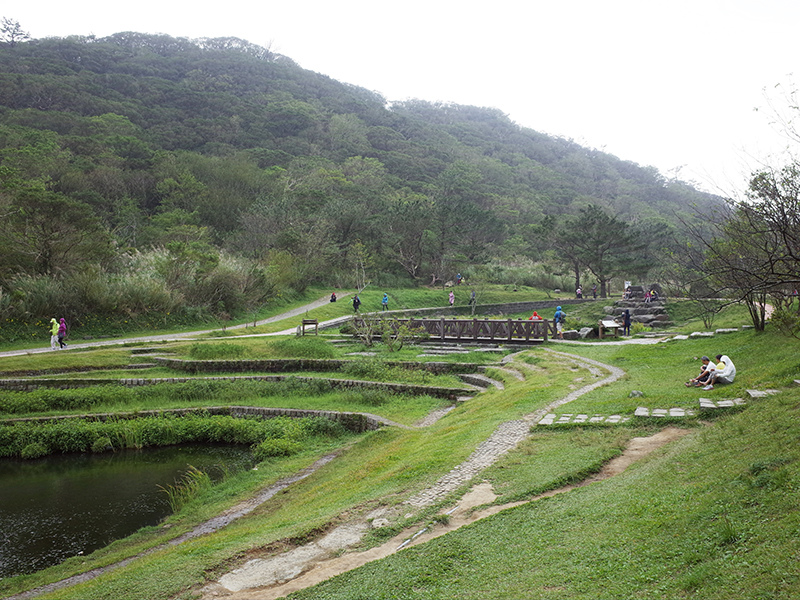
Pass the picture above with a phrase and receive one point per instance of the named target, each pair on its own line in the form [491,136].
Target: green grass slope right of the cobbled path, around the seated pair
[714,516]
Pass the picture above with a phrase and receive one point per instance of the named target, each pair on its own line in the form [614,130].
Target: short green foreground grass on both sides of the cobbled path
[714,515]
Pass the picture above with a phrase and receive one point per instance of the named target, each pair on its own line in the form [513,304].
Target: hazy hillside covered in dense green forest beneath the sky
[144,173]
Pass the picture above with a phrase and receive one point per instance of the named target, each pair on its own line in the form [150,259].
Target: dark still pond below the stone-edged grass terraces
[67,505]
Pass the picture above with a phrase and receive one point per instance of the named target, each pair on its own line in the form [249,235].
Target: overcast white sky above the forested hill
[668,84]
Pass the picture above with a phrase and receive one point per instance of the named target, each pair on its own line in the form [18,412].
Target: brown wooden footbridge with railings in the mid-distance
[478,330]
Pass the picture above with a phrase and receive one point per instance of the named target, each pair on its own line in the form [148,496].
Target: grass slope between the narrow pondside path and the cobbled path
[384,467]
